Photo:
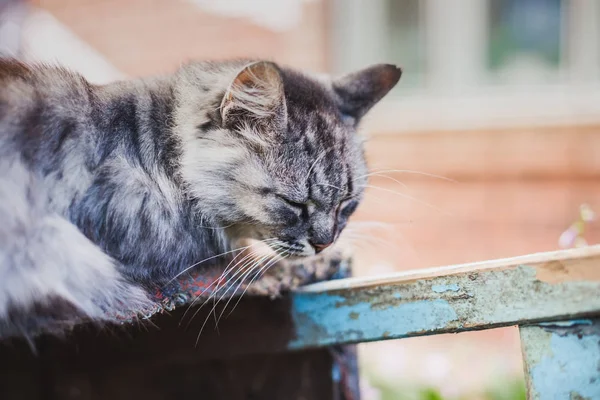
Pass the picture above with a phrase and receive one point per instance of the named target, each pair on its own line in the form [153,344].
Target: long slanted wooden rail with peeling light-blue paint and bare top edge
[539,287]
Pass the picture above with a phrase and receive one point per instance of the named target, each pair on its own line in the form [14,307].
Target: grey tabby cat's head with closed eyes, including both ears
[273,154]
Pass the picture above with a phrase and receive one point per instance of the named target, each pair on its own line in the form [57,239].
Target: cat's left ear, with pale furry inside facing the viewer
[255,95]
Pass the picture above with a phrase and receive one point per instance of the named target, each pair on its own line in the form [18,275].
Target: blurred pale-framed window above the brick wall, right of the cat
[477,62]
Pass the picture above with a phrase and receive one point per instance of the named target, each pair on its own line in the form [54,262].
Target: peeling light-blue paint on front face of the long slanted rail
[498,297]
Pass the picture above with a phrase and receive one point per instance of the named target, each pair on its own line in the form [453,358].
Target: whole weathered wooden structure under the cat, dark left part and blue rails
[300,346]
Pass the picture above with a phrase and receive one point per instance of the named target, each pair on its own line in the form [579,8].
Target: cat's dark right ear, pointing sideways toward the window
[359,91]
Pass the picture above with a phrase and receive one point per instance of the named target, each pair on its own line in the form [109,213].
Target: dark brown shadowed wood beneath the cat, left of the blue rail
[241,360]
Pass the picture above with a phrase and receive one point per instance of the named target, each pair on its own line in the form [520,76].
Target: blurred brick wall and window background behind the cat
[487,148]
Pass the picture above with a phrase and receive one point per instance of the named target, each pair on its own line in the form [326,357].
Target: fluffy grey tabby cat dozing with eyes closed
[108,190]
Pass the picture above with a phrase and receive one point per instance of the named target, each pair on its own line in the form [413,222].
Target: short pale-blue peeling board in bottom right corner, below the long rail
[562,359]
